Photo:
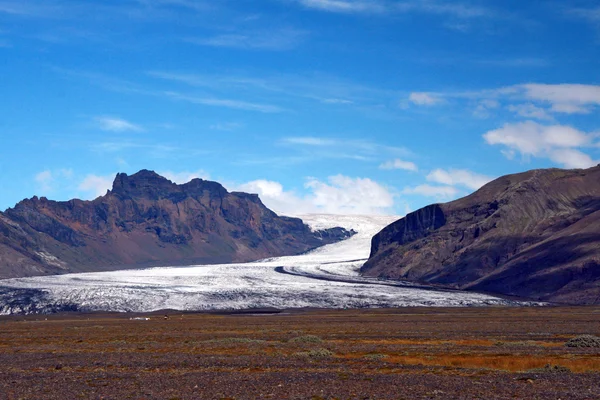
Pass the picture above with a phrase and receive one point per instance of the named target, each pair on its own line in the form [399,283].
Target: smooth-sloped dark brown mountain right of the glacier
[535,234]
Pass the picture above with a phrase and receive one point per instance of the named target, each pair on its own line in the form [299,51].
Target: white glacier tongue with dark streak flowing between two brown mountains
[326,277]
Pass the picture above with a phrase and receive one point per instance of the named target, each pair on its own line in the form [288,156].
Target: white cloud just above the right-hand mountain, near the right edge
[559,143]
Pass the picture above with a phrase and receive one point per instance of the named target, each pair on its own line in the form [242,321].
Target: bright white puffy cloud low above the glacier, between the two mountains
[338,195]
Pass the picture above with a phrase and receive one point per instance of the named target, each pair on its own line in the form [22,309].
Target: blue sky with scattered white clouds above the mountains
[366,106]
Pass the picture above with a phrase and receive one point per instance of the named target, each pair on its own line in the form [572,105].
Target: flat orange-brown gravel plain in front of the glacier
[431,353]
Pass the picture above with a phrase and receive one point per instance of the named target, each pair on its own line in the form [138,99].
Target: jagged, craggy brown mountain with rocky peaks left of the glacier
[147,220]
